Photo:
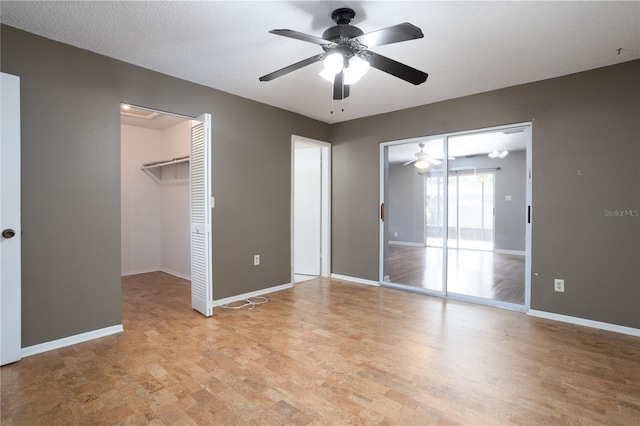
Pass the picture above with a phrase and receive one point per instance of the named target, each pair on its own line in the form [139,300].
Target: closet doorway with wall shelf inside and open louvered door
[166,200]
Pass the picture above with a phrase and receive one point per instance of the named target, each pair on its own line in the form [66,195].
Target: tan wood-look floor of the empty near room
[327,352]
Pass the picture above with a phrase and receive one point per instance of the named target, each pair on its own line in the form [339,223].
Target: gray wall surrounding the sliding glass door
[586,159]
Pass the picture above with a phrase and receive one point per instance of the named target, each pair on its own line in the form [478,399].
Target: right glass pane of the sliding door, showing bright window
[486,179]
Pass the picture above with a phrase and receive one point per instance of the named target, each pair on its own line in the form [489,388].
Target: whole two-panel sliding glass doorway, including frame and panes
[456,215]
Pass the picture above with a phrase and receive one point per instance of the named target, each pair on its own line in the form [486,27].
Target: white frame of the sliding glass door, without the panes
[382,241]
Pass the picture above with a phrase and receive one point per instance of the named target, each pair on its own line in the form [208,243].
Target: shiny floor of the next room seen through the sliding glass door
[477,273]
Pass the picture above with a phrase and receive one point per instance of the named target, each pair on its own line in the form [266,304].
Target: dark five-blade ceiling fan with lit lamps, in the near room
[346,52]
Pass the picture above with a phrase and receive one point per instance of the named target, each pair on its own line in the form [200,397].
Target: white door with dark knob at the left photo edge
[10,274]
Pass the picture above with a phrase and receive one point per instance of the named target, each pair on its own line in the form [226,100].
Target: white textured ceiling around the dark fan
[469,47]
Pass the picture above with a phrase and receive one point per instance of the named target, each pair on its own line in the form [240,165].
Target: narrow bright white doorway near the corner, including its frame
[310,209]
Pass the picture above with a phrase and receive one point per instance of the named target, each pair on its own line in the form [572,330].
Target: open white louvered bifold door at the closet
[201,281]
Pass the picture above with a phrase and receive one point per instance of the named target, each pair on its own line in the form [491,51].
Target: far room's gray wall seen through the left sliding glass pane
[405,208]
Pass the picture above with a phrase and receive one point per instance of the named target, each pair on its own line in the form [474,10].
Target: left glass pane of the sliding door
[414,209]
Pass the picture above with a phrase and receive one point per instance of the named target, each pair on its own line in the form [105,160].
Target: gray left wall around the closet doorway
[70,104]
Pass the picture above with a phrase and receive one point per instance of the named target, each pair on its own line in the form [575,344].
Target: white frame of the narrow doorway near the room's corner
[325,203]
